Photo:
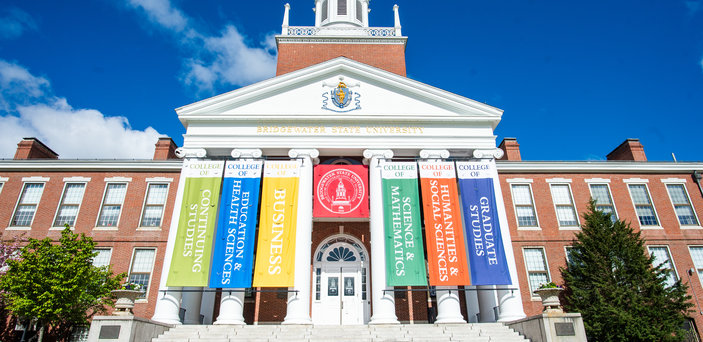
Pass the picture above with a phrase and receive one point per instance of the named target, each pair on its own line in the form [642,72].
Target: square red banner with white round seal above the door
[341,191]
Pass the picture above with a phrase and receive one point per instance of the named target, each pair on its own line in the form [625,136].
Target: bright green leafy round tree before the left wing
[57,284]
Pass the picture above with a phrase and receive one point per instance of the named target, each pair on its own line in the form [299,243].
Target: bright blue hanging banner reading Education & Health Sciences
[233,255]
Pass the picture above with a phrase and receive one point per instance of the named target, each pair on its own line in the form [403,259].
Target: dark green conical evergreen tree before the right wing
[612,281]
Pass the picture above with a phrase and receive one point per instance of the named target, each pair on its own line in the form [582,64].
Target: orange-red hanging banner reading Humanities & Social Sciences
[446,253]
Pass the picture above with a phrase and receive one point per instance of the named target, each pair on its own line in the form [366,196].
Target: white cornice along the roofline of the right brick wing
[506,167]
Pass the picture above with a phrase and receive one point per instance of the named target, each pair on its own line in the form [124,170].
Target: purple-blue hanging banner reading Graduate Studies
[486,251]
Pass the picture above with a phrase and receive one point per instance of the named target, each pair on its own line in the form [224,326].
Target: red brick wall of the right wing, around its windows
[554,240]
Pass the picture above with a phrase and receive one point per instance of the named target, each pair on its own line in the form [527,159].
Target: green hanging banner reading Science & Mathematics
[405,259]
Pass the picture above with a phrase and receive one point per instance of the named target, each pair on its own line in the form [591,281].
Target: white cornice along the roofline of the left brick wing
[90,165]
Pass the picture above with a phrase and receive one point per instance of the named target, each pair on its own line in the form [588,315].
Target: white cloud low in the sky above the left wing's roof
[31,110]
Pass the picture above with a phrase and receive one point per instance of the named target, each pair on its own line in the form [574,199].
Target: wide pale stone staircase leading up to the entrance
[472,332]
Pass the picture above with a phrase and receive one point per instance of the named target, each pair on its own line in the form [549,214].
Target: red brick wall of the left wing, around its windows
[123,240]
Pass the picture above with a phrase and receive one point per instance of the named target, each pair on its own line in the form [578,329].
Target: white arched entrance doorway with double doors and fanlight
[340,286]
